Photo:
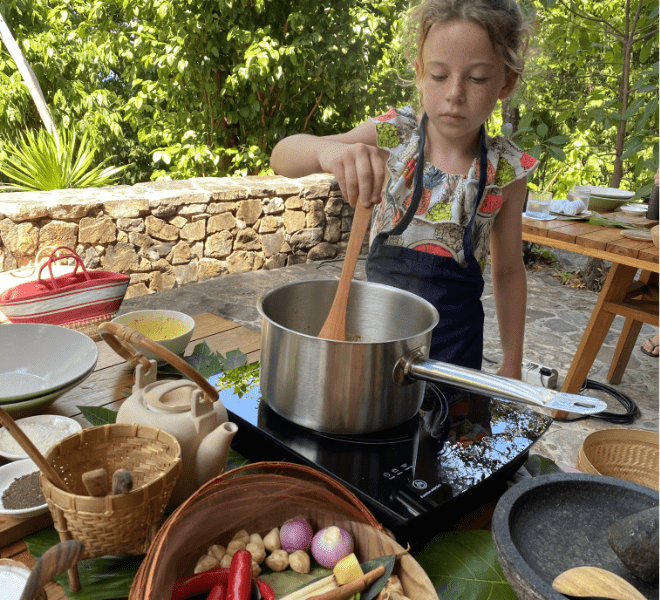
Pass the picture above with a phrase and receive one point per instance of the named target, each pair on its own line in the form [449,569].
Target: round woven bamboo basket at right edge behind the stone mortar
[630,454]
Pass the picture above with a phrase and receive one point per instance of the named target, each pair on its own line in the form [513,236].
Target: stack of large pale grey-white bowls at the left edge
[38,363]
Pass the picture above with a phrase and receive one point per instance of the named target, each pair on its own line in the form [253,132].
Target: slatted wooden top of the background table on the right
[598,241]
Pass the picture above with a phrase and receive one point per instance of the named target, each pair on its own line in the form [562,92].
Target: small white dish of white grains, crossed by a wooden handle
[43,431]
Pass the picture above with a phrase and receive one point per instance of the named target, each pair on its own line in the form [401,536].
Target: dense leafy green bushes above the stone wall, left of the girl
[201,87]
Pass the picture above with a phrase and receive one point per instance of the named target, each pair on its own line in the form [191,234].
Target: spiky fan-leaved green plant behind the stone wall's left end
[42,161]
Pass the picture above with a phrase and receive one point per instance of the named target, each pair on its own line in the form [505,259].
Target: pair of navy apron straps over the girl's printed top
[418,188]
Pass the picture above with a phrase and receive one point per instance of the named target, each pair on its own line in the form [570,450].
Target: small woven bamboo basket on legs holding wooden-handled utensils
[113,524]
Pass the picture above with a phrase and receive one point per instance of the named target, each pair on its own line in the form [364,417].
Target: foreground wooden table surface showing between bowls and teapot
[105,387]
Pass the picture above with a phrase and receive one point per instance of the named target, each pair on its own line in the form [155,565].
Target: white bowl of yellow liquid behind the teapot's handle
[155,323]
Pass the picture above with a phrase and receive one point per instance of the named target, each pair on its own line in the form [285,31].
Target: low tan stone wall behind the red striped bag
[171,233]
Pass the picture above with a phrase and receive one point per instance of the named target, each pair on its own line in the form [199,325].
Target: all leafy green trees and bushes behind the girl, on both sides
[200,87]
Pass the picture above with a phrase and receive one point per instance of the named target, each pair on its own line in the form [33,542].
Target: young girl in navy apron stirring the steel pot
[451,190]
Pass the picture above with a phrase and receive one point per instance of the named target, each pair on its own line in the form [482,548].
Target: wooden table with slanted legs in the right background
[634,299]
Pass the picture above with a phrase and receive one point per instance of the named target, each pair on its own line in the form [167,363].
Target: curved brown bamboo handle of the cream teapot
[121,337]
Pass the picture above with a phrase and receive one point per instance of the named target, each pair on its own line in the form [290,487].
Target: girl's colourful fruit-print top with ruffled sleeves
[447,200]
